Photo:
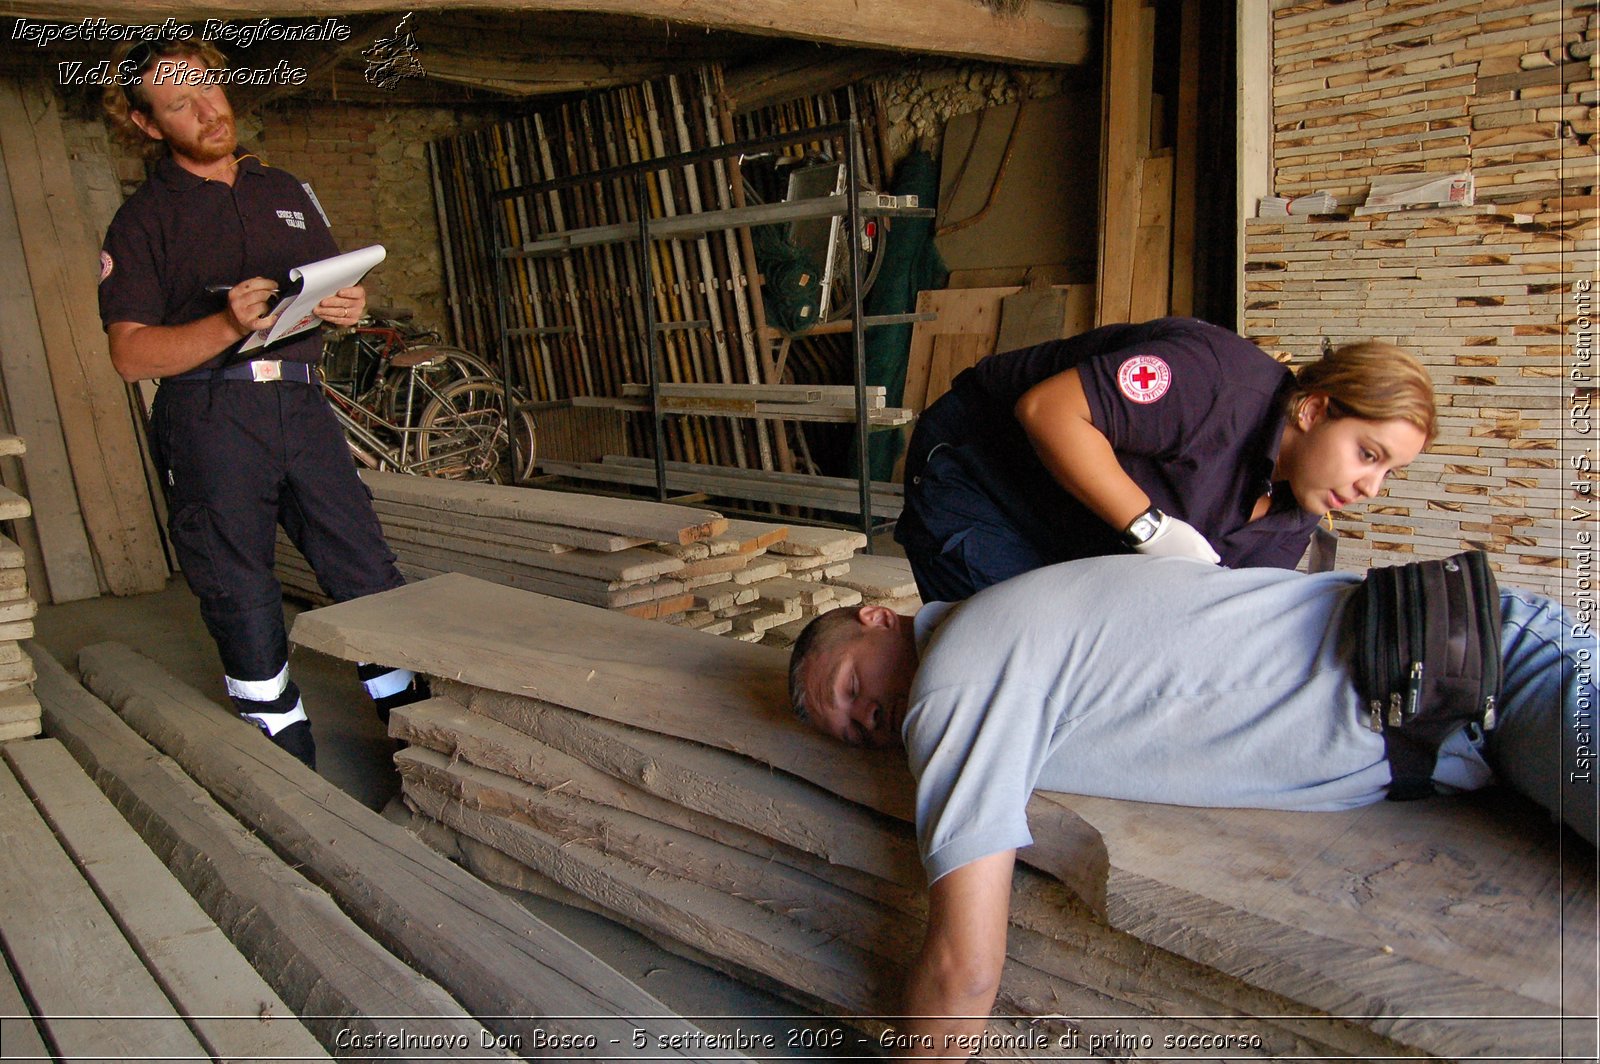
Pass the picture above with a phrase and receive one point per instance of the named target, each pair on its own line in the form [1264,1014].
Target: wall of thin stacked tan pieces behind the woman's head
[1492,298]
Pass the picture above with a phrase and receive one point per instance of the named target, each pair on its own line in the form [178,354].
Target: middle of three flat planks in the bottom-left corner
[92,993]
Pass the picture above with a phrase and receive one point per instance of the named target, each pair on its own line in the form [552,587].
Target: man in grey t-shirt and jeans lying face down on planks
[1156,681]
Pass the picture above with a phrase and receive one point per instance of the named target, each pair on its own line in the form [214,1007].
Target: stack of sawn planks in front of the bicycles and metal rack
[652,561]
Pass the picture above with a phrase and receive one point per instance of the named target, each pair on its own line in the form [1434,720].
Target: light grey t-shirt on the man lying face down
[1146,679]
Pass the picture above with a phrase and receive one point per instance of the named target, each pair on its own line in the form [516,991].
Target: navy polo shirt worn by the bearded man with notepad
[182,233]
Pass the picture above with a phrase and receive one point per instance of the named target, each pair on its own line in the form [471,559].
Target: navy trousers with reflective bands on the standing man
[238,460]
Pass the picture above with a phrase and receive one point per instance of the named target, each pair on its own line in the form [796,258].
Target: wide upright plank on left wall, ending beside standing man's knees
[94,402]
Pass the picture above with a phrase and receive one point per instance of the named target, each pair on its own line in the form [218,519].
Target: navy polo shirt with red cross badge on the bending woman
[1196,415]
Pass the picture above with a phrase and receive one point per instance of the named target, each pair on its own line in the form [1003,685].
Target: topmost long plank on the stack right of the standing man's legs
[630,518]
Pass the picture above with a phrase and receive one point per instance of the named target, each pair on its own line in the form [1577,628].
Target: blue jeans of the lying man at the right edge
[1545,742]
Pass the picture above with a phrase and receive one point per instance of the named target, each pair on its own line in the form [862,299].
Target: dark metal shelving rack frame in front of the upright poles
[647,230]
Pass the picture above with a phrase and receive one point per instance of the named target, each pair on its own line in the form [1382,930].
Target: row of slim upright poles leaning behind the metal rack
[575,322]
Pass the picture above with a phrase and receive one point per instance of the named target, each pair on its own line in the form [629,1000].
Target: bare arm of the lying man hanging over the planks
[958,975]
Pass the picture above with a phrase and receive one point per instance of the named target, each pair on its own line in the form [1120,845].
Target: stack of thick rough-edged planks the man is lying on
[657,777]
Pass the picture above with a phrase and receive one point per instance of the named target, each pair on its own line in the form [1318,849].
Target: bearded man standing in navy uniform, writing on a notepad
[190,270]
